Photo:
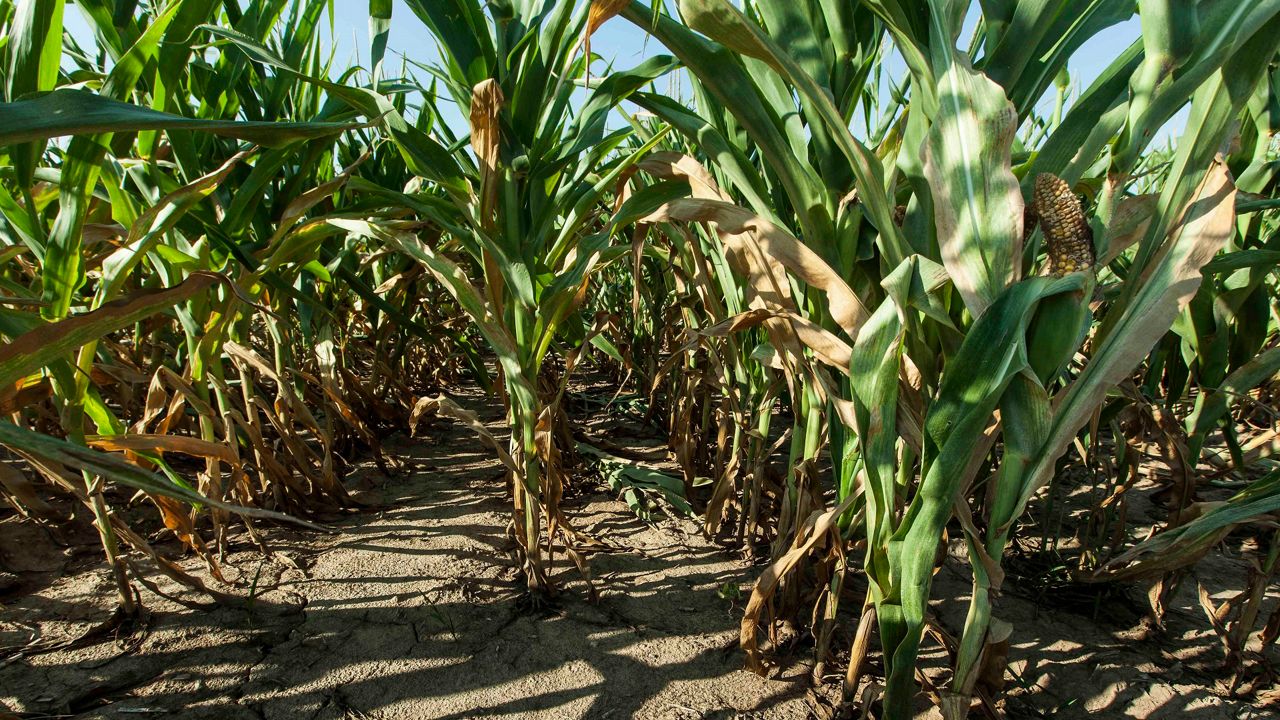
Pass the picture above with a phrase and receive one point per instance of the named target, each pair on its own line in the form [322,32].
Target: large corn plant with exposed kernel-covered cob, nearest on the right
[966,213]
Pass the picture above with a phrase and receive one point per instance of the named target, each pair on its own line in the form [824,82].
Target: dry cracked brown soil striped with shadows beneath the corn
[410,612]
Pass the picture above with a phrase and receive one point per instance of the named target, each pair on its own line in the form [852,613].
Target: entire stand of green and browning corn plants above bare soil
[895,294]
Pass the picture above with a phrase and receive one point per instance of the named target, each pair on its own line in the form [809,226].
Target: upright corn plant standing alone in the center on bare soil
[519,233]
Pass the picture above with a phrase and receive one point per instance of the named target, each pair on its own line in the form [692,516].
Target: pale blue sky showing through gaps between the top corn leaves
[624,44]
